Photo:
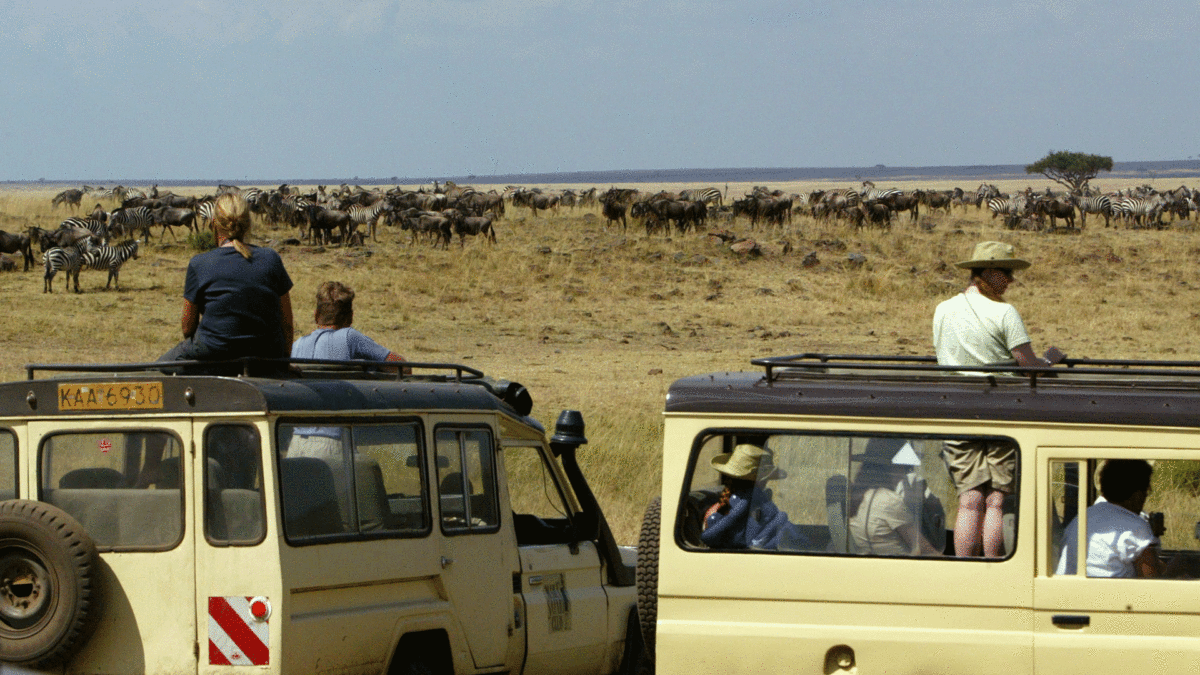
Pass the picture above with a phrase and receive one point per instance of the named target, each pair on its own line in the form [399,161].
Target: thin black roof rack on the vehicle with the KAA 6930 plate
[250,367]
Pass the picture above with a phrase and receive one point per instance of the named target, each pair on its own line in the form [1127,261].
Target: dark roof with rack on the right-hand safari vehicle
[1126,393]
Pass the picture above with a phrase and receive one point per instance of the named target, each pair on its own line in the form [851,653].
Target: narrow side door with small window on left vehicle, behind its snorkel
[479,558]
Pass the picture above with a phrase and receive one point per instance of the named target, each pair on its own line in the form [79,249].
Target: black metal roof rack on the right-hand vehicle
[808,365]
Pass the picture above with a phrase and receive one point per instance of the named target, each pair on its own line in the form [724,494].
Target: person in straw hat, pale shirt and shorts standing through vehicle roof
[979,328]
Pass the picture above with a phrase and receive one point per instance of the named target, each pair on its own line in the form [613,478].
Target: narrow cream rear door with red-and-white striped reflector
[238,586]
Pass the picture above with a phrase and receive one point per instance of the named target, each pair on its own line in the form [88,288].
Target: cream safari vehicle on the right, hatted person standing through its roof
[824,599]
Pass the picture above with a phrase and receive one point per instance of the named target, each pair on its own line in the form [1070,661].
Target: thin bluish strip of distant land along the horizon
[1151,170]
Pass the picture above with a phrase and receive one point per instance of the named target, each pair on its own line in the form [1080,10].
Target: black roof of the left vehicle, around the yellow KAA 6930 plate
[338,387]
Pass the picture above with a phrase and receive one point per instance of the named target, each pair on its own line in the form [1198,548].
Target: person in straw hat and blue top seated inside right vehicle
[746,515]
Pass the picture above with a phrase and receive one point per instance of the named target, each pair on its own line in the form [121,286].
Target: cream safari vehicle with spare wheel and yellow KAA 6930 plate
[187,524]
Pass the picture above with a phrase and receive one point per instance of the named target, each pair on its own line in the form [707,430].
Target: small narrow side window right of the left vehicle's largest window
[466,480]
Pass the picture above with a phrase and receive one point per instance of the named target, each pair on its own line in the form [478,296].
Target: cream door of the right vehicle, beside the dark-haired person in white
[1087,624]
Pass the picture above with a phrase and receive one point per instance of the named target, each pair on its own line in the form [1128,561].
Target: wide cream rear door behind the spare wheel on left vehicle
[127,482]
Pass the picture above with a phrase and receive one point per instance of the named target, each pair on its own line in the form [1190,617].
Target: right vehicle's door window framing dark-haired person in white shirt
[1141,518]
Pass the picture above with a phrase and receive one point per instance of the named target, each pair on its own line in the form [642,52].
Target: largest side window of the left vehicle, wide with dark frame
[363,480]
